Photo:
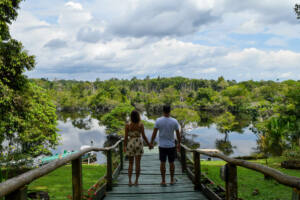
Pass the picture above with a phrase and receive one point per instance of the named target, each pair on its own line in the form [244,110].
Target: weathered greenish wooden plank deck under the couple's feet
[149,182]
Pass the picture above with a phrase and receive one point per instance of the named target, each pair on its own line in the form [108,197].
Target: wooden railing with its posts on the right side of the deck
[230,171]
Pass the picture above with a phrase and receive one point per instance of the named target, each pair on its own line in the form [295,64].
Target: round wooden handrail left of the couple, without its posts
[17,182]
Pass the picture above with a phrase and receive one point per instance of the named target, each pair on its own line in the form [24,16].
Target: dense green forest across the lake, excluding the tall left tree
[271,108]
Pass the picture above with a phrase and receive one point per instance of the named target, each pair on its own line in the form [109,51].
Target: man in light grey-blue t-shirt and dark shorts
[166,126]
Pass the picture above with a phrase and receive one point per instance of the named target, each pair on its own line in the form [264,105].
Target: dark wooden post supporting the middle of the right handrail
[231,182]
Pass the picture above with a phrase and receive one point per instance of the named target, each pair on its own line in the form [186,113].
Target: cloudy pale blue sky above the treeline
[89,39]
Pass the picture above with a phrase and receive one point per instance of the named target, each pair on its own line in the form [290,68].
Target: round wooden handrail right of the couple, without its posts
[280,177]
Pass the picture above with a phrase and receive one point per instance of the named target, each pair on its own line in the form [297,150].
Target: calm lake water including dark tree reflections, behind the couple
[78,130]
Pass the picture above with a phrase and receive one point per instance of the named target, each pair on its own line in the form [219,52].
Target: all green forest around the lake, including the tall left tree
[29,107]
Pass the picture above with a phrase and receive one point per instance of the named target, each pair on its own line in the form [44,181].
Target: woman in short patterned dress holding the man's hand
[133,144]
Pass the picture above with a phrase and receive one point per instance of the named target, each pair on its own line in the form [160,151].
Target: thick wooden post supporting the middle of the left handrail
[77,179]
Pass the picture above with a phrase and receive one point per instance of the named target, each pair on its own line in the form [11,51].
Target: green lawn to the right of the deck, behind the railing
[249,180]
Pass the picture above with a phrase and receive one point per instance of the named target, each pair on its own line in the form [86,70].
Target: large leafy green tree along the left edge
[28,119]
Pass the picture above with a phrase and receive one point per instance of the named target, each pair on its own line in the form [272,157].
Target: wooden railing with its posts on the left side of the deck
[16,188]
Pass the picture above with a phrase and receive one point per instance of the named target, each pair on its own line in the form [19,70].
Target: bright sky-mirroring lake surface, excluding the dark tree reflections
[74,135]
